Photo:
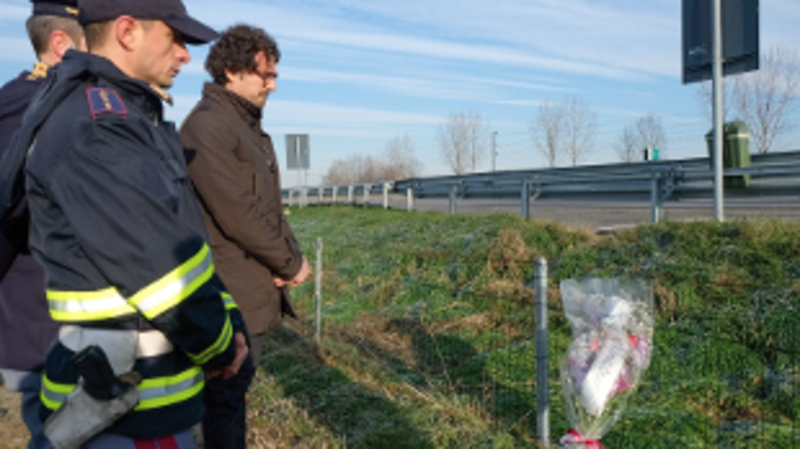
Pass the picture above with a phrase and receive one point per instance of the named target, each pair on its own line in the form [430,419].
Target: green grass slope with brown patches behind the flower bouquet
[428,333]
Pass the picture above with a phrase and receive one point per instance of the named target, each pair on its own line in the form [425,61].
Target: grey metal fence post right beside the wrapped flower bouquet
[542,381]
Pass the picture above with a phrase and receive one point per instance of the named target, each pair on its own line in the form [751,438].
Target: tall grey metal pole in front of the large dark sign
[719,212]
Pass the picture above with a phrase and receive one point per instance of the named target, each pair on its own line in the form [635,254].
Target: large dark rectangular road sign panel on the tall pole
[740,41]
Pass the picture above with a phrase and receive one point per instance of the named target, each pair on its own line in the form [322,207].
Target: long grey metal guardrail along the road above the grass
[773,175]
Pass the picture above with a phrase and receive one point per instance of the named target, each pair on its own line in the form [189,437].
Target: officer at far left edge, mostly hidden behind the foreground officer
[26,329]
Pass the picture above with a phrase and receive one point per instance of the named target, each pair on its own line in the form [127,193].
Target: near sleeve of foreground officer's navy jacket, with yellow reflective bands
[122,209]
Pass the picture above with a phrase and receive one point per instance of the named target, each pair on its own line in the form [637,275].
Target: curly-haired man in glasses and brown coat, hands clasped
[233,166]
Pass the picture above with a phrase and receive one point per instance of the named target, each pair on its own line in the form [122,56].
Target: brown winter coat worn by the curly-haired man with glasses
[233,166]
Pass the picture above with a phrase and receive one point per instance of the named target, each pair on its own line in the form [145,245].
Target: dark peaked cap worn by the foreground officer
[171,12]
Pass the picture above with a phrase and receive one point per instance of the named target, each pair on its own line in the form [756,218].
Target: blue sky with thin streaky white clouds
[355,73]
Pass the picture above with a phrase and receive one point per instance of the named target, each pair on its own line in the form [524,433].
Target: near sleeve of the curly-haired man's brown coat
[224,191]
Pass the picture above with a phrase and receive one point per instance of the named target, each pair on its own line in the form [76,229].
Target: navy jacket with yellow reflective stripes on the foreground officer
[117,228]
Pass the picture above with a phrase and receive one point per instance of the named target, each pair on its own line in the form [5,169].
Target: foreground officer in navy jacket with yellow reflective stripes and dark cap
[116,226]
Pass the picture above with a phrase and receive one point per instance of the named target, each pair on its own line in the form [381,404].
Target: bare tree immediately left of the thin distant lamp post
[462,139]
